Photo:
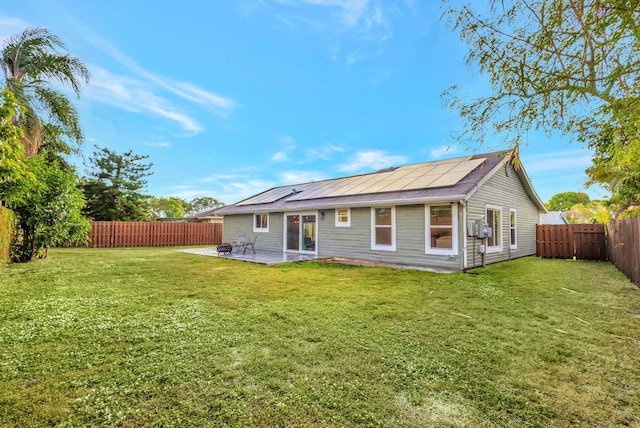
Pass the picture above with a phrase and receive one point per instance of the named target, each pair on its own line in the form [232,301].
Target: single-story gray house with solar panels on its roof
[420,215]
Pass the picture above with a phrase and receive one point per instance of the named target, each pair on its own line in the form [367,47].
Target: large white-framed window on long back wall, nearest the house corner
[441,229]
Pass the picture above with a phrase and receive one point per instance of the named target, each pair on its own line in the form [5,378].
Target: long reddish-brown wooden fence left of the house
[112,234]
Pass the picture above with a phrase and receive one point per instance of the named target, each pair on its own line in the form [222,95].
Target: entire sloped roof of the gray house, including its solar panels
[444,180]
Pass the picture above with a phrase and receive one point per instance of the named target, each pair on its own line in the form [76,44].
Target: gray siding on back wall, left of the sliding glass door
[242,224]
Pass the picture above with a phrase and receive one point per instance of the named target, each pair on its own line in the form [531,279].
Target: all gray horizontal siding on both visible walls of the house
[502,190]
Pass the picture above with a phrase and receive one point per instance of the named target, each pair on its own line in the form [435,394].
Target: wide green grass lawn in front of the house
[151,337]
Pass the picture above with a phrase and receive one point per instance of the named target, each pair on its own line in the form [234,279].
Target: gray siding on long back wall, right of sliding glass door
[355,241]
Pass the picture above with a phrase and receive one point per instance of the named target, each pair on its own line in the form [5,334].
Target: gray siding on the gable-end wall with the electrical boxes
[504,189]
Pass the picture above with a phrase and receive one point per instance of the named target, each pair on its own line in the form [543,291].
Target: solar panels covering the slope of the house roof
[412,177]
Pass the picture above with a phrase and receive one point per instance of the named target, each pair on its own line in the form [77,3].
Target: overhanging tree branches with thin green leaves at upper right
[566,65]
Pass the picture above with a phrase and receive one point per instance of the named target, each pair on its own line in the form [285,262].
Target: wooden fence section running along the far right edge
[623,240]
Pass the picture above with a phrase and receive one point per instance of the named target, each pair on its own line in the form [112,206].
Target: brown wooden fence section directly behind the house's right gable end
[566,241]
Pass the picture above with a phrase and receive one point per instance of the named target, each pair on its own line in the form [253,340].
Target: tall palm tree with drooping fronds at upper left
[31,61]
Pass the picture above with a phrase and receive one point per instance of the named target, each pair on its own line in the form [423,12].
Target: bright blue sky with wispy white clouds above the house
[230,98]
